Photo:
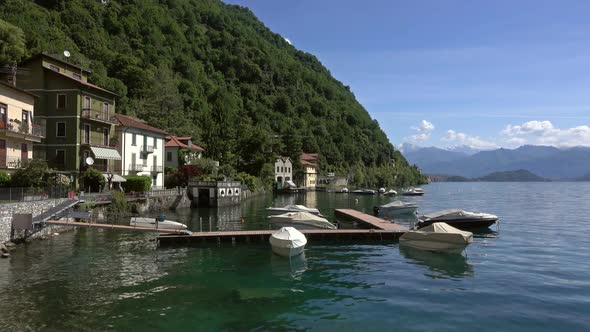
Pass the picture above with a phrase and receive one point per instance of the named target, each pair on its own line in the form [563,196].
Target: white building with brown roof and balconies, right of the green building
[142,149]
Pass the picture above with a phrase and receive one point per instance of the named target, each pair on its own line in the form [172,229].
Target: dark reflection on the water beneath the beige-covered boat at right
[442,264]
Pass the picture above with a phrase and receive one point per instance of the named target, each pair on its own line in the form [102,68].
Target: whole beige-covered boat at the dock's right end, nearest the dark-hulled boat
[438,236]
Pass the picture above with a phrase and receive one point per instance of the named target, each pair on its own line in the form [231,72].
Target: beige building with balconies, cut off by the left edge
[18,131]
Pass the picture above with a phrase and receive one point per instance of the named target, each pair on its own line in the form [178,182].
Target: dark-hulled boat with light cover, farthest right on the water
[458,218]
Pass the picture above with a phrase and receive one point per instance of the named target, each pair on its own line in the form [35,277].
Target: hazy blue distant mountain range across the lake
[545,161]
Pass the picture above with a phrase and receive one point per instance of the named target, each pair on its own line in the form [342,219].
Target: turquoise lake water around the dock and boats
[532,273]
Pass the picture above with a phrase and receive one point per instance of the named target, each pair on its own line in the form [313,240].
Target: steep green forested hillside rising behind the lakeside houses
[213,71]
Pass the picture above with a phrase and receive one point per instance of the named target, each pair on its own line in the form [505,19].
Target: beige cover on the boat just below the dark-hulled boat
[439,232]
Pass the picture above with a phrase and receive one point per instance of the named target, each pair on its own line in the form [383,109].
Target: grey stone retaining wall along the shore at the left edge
[6,211]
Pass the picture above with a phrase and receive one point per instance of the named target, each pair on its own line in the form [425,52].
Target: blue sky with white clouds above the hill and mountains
[454,72]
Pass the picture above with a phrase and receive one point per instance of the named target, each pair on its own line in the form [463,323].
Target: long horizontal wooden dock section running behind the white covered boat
[263,235]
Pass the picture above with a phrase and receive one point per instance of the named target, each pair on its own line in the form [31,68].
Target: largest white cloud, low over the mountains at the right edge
[545,133]
